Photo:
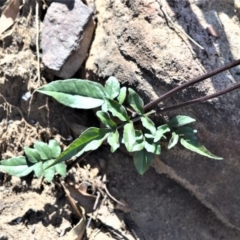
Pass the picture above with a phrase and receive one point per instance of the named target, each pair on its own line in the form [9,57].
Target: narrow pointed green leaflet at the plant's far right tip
[198,148]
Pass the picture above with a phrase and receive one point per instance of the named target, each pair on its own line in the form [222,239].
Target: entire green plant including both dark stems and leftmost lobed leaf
[121,108]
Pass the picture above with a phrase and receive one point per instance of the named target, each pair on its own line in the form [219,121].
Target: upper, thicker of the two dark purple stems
[170,93]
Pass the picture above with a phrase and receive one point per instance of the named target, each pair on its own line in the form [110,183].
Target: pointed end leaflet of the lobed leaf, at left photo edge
[16,166]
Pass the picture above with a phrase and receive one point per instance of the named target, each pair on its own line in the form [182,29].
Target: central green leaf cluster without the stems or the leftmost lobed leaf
[121,108]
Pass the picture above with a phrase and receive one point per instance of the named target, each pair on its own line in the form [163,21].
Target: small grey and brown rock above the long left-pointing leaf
[66,36]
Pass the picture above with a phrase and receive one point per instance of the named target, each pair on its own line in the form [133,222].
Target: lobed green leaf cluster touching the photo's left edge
[38,160]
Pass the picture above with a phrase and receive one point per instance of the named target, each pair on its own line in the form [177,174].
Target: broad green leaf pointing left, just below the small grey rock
[75,93]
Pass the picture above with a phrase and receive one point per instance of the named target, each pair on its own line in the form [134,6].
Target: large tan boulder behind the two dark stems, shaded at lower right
[135,44]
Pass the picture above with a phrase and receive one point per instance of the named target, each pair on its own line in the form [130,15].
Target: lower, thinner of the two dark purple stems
[201,99]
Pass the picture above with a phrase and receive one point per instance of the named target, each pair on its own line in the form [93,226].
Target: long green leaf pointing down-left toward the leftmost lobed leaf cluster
[89,140]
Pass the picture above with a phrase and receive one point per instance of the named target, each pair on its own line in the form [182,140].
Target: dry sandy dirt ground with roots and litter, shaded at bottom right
[156,206]
